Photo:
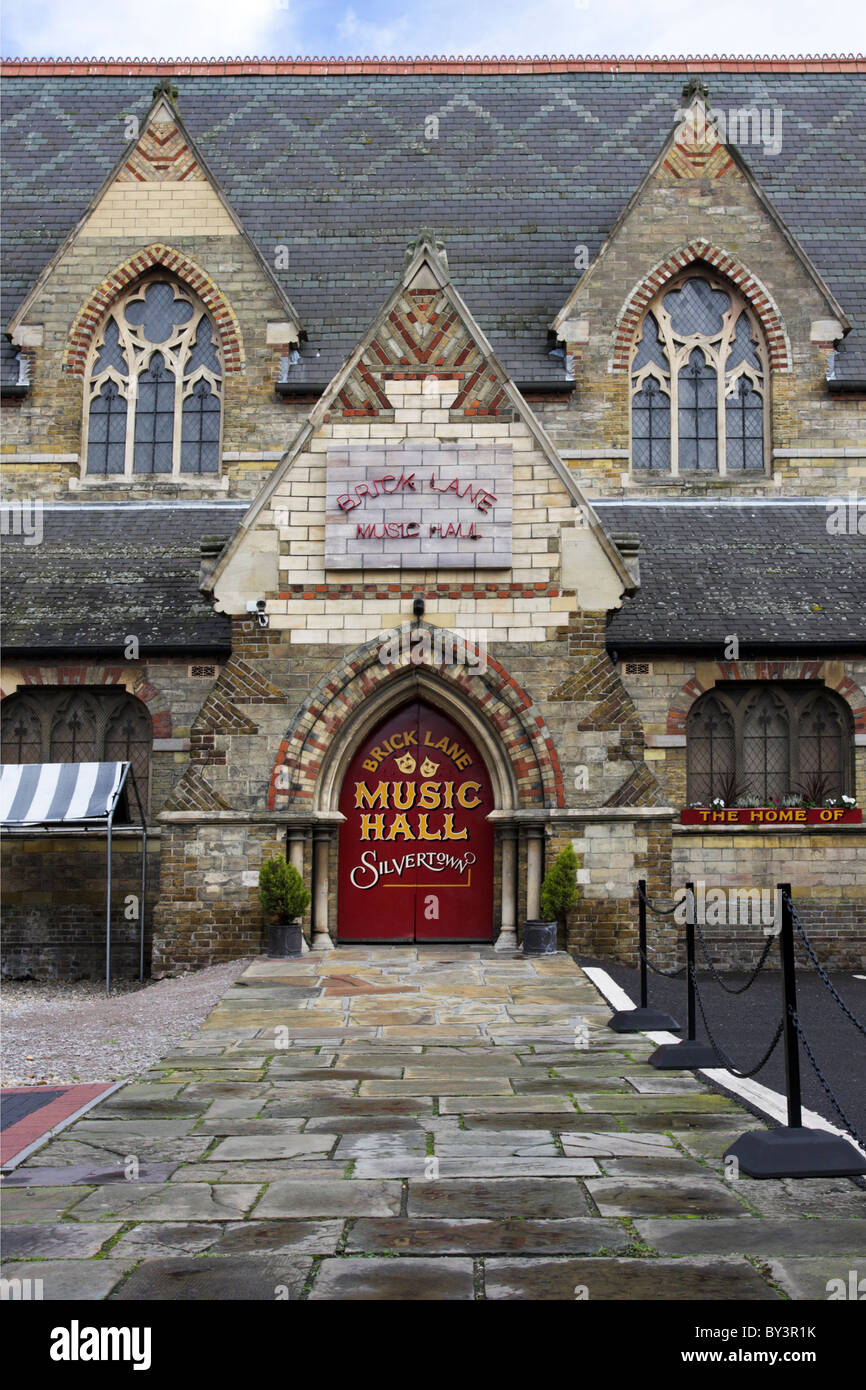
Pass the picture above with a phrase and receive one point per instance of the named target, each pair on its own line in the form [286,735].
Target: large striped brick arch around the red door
[494,697]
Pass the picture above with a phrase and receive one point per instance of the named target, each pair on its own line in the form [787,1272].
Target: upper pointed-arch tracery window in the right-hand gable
[700,383]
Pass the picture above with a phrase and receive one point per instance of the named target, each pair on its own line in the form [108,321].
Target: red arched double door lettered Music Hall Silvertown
[416,849]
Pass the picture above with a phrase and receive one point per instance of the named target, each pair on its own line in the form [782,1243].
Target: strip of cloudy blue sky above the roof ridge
[208,28]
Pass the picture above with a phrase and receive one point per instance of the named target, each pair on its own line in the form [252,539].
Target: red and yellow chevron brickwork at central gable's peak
[423,336]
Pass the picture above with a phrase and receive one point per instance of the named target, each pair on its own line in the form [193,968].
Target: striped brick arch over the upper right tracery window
[751,288]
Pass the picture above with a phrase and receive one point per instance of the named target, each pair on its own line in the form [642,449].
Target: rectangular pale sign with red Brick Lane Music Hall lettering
[419,508]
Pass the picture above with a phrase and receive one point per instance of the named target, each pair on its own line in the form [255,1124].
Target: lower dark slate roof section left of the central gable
[108,571]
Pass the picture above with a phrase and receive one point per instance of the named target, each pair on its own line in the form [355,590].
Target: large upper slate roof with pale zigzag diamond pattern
[525,169]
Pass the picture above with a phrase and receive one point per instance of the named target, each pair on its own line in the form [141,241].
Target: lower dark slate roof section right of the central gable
[771,573]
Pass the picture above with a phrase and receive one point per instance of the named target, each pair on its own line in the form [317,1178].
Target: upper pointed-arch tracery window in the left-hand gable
[154,397]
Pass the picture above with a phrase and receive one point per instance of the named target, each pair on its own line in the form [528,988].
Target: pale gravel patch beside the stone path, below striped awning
[73,1032]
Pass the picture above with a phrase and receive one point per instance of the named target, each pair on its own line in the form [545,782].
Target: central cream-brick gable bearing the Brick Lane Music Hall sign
[422,457]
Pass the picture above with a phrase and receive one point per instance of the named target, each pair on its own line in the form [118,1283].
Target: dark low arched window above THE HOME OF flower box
[769,740]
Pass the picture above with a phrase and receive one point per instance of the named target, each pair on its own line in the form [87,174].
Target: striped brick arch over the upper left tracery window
[92,315]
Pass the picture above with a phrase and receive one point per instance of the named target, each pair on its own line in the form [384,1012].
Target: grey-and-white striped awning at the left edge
[51,794]
